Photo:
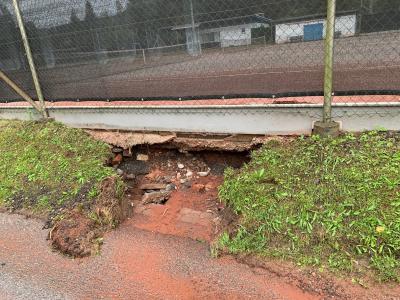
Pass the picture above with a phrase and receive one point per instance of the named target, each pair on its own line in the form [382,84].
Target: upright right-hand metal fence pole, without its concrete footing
[329,45]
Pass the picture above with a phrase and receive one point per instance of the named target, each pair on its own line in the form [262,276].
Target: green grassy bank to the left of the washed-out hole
[45,166]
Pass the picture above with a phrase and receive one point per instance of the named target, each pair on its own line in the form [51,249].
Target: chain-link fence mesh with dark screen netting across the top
[202,49]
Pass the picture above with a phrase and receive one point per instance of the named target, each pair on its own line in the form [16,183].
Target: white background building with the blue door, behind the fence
[312,28]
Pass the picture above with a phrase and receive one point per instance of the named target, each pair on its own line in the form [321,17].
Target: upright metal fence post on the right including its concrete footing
[328,127]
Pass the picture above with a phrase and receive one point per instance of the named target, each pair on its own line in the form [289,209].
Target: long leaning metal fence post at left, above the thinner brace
[30,58]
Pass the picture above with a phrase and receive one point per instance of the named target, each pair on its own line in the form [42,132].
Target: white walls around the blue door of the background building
[344,24]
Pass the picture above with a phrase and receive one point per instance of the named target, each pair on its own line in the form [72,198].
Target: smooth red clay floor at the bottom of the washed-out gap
[189,212]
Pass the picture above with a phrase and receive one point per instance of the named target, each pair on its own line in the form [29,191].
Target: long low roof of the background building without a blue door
[227,22]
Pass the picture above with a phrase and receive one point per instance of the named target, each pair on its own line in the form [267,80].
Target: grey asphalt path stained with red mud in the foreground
[134,264]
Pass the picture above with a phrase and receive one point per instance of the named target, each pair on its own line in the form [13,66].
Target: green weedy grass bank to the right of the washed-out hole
[329,203]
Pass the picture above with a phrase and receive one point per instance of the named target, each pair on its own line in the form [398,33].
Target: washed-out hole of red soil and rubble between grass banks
[187,186]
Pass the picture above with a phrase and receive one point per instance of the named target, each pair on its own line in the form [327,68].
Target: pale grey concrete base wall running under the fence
[272,119]
